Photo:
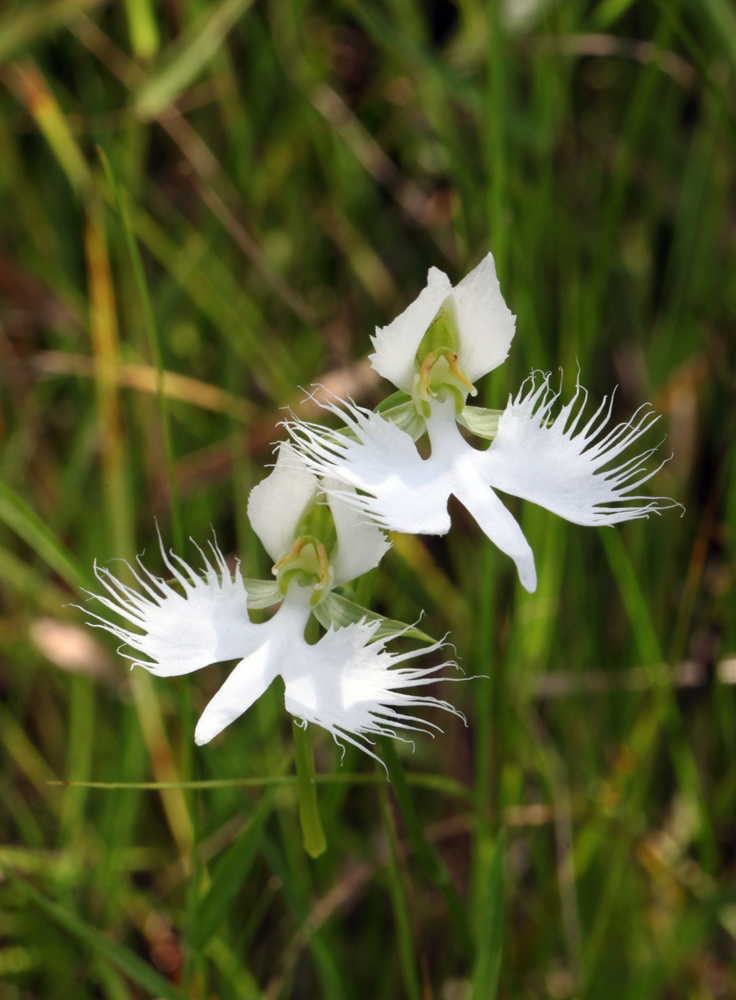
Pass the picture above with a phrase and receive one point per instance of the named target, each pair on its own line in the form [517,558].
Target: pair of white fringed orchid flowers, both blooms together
[322,512]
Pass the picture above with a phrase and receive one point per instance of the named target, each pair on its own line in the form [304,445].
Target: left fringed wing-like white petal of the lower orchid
[179,632]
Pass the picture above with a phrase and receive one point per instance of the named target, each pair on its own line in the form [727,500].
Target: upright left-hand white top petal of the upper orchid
[396,344]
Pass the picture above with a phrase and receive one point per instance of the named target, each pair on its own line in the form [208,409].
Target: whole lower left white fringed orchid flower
[345,683]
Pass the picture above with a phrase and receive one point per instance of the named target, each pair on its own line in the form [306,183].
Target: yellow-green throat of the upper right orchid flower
[438,374]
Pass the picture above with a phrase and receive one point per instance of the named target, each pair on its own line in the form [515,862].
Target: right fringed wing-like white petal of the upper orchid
[569,468]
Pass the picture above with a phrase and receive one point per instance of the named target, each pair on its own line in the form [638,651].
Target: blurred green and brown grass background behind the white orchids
[290,170]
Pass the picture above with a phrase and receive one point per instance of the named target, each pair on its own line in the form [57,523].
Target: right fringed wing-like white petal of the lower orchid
[352,687]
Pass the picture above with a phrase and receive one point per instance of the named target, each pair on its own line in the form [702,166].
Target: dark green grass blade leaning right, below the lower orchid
[229,876]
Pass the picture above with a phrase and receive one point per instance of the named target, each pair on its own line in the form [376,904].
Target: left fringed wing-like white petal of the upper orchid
[406,493]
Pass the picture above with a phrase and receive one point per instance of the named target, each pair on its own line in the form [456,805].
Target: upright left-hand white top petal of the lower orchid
[277,504]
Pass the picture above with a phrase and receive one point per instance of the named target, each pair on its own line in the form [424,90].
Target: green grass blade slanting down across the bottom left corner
[121,957]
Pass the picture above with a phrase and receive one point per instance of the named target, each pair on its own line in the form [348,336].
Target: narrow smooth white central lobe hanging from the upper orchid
[494,518]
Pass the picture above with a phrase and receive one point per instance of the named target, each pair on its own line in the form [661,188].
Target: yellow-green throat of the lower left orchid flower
[308,562]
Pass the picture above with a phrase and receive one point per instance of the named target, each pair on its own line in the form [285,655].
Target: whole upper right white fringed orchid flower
[434,351]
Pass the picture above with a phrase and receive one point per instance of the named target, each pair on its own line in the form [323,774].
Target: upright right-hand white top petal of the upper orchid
[485,323]
